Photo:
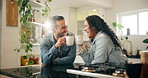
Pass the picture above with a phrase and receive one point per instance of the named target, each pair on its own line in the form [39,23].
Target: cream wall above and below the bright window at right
[125,6]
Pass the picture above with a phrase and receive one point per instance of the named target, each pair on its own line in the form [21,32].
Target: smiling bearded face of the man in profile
[61,28]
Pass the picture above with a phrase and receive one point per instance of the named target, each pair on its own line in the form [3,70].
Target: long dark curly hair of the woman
[100,25]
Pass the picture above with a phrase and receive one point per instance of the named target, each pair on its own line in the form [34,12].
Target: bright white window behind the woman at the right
[135,23]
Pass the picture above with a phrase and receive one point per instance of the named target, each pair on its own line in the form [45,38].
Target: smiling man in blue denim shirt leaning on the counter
[53,47]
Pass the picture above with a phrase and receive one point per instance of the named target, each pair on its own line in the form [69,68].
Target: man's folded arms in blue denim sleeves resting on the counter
[49,54]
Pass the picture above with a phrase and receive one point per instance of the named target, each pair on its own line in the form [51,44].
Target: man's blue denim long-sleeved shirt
[51,55]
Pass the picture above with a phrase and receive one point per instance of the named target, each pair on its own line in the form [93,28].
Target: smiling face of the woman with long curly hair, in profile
[91,31]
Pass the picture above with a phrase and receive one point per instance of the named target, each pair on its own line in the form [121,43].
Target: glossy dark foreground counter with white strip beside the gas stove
[65,71]
